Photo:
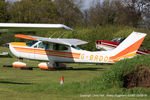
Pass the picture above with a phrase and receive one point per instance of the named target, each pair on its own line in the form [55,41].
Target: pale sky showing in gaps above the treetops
[86,3]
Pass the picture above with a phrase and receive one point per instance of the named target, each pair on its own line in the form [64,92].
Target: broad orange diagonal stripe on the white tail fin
[130,49]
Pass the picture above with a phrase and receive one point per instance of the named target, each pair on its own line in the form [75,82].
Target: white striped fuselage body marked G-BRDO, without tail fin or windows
[70,54]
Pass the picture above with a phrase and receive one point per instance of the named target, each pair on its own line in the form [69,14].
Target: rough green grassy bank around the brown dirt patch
[110,81]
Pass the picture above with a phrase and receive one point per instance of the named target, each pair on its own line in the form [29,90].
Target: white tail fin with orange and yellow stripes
[128,48]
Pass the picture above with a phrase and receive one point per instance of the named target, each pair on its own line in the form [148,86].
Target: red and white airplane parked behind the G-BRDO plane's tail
[109,45]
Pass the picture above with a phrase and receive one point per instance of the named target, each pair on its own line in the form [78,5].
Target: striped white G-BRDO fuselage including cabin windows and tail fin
[58,52]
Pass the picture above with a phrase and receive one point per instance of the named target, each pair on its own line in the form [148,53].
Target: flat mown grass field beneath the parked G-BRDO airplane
[16,84]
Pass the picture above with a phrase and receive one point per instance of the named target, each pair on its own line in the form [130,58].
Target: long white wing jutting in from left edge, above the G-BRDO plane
[34,25]
